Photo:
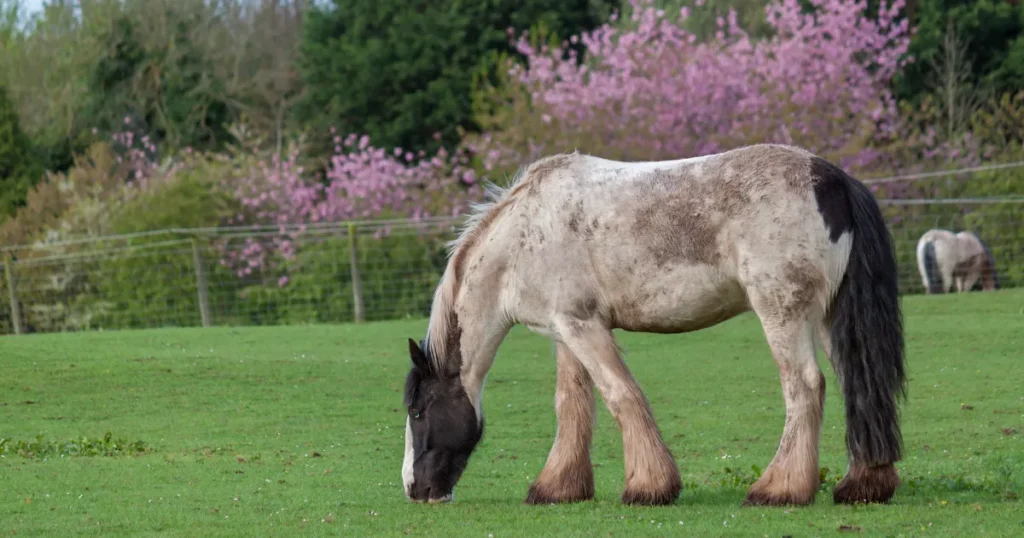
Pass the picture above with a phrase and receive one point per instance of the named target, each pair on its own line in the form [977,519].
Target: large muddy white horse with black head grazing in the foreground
[580,246]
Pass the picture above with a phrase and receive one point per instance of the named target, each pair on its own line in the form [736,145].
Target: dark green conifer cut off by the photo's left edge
[19,168]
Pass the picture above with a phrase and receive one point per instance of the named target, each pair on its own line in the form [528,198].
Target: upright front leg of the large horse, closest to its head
[569,476]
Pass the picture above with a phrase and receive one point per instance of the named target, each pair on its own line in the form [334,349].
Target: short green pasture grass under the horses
[298,431]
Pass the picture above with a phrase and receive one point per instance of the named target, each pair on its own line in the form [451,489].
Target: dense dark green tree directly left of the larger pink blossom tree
[401,72]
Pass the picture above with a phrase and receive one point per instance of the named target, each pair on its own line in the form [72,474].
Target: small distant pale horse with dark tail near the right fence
[945,258]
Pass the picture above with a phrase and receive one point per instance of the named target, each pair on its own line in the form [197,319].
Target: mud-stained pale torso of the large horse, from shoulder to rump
[669,246]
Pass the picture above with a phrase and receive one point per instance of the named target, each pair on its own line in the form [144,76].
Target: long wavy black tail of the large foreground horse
[867,323]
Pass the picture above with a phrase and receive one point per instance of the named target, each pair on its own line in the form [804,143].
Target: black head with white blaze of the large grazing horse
[442,430]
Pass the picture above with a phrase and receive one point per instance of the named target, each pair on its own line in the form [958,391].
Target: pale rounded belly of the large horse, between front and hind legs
[689,300]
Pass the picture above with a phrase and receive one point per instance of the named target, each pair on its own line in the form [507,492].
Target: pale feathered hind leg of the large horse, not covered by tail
[793,477]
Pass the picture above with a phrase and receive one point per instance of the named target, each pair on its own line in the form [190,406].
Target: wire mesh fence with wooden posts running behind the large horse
[339,272]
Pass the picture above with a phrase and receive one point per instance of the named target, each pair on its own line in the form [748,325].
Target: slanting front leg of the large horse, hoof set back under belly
[652,476]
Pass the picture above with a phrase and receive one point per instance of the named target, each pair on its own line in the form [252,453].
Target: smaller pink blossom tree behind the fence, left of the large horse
[362,183]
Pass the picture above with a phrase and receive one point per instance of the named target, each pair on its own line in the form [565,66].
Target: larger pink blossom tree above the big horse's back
[652,91]
